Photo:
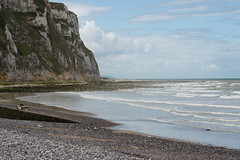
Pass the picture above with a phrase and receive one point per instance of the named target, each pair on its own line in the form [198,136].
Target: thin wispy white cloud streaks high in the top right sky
[187,9]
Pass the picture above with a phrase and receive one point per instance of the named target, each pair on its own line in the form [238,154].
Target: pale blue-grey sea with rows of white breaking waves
[199,111]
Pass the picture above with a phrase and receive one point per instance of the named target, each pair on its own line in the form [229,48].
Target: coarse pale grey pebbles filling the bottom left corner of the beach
[20,145]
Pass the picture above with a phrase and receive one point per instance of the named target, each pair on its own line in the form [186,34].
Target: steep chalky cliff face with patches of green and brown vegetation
[40,41]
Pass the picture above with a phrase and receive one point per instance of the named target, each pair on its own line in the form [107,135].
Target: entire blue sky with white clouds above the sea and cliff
[161,39]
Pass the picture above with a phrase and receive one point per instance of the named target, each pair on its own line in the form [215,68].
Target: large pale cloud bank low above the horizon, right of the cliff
[158,56]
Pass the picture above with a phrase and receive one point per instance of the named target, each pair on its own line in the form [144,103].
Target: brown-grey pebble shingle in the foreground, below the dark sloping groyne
[21,139]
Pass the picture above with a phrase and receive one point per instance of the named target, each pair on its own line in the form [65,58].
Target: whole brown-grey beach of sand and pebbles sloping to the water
[64,134]
